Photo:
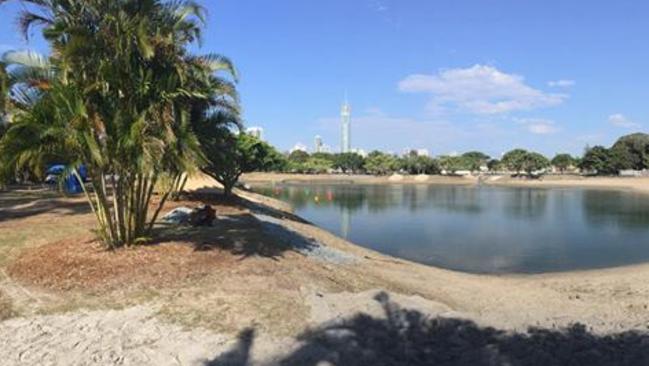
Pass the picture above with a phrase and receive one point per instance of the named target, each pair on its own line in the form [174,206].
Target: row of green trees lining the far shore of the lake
[630,152]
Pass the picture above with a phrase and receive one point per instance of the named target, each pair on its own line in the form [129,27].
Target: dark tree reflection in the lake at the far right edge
[615,209]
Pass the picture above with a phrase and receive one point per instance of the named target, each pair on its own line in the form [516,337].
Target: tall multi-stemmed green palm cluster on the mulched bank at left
[120,94]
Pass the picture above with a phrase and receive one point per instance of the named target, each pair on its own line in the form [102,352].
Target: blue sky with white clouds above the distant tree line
[449,76]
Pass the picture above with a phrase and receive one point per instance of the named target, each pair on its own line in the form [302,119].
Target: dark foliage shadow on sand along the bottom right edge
[408,337]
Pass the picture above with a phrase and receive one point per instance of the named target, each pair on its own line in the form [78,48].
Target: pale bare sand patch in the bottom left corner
[126,337]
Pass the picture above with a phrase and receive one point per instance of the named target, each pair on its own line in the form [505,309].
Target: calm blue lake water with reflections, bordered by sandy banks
[481,229]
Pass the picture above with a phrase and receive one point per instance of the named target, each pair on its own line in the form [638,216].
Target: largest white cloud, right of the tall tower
[479,89]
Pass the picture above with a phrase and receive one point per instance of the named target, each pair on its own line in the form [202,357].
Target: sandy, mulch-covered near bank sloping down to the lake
[241,293]
